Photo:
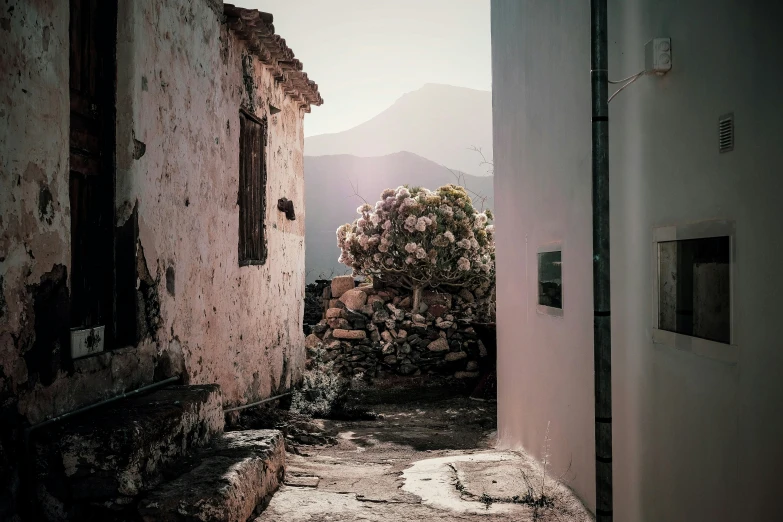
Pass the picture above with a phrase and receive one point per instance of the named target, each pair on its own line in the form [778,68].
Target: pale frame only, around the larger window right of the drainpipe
[726,352]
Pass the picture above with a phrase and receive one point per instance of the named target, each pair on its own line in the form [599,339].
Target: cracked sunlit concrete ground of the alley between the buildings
[429,458]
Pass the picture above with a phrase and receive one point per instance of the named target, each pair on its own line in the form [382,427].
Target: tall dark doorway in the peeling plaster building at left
[93,30]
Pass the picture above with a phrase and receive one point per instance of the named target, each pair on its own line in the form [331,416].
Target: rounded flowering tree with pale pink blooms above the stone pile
[419,238]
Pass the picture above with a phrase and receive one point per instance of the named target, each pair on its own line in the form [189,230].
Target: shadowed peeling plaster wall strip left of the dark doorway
[34,206]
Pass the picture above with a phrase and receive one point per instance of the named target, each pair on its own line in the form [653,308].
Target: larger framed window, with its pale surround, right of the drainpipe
[693,288]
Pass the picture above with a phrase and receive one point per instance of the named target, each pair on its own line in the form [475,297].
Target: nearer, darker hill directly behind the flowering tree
[330,182]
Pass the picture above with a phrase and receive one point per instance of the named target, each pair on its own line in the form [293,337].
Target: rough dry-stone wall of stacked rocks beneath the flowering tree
[374,332]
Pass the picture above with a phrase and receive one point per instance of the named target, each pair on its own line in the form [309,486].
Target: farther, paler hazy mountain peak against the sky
[437,122]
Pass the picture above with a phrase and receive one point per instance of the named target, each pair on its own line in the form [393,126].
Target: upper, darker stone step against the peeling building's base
[108,456]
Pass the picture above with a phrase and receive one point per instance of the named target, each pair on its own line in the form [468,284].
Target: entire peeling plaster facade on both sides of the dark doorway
[182,78]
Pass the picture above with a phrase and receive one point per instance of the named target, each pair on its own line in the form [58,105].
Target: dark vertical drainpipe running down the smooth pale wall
[602,329]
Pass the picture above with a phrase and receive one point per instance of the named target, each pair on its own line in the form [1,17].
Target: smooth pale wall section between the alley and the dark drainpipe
[542,194]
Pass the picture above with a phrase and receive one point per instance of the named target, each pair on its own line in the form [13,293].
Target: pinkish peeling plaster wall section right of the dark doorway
[178,103]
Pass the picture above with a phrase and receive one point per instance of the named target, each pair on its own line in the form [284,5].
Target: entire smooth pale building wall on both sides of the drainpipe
[694,438]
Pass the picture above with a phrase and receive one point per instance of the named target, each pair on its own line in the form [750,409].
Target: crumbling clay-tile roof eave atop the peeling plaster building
[256,29]
